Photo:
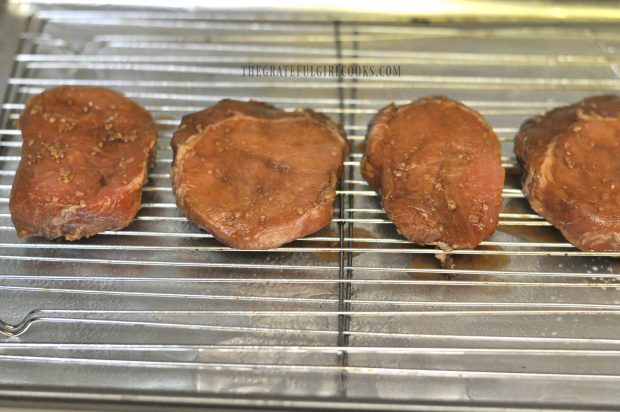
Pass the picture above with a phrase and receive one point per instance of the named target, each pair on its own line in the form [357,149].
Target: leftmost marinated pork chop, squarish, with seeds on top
[84,161]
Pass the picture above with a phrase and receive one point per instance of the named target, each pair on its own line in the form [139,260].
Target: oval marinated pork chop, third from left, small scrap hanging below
[437,165]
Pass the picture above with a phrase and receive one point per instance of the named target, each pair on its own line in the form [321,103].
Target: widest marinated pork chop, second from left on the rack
[254,176]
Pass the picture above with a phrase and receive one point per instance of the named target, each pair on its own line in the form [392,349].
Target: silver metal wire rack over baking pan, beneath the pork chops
[352,316]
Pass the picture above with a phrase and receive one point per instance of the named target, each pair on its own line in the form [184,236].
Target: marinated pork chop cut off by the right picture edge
[571,162]
